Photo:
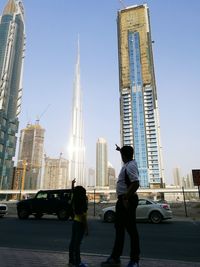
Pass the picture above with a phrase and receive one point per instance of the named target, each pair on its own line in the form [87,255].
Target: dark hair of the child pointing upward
[79,200]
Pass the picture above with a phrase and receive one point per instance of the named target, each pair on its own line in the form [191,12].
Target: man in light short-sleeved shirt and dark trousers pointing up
[127,185]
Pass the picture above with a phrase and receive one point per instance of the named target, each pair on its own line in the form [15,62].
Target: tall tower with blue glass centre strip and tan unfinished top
[140,126]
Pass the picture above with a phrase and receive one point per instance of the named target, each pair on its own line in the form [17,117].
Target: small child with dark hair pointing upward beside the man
[79,226]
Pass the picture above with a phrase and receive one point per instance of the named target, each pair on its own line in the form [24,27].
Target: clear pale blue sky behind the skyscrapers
[52,29]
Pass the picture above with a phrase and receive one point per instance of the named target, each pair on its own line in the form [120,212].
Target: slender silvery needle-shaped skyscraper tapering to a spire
[76,146]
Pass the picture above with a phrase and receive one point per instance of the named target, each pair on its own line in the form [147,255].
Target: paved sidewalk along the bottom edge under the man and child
[11,257]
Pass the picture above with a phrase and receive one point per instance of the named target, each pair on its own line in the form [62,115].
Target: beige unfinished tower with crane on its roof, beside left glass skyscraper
[31,146]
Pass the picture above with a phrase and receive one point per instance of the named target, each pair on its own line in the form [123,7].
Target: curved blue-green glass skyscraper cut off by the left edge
[12,45]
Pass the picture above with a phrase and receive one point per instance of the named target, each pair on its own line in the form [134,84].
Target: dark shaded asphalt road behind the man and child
[175,240]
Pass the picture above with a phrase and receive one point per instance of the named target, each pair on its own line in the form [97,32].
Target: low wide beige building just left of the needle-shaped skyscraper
[55,173]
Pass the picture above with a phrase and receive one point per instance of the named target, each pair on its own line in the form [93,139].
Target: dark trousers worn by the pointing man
[126,220]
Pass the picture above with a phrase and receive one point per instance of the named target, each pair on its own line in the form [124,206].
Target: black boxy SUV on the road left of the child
[57,202]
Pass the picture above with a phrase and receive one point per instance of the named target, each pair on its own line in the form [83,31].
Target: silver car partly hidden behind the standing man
[146,210]
